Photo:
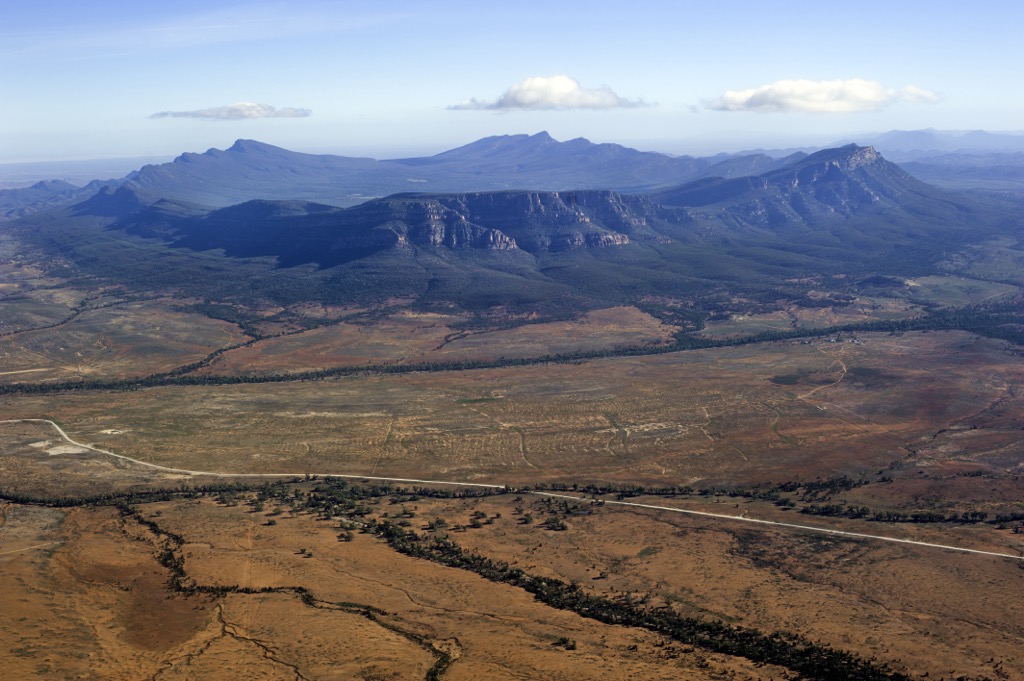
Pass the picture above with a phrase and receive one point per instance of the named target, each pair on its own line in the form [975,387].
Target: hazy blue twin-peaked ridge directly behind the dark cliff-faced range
[250,171]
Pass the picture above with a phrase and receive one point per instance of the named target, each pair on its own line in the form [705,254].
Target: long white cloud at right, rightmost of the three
[837,97]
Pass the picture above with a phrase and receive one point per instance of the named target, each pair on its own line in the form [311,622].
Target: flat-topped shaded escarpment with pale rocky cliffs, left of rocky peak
[296,233]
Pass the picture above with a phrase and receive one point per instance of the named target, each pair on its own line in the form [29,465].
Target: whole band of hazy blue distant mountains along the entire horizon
[250,171]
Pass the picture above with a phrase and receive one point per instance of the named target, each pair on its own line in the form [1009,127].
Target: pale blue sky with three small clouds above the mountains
[401,78]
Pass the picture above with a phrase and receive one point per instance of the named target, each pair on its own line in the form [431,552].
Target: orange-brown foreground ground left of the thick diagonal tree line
[101,593]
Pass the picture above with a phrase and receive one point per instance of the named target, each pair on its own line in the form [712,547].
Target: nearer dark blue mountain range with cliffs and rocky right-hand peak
[835,211]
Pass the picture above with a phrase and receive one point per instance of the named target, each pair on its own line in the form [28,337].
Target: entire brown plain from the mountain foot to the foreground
[923,422]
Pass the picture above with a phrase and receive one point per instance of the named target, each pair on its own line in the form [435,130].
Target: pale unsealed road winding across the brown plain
[670,509]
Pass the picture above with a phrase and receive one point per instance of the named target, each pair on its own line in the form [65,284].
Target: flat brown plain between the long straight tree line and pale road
[743,415]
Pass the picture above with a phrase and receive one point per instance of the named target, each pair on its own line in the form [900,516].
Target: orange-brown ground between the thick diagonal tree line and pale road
[936,612]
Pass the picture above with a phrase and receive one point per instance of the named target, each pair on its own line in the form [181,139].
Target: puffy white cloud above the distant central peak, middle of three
[542,93]
